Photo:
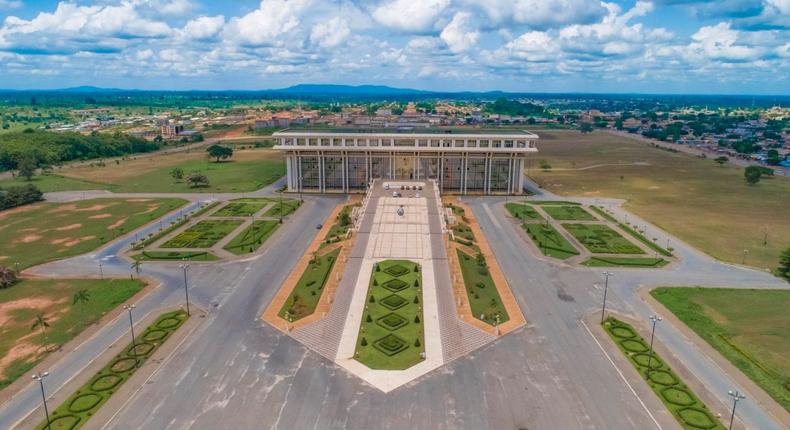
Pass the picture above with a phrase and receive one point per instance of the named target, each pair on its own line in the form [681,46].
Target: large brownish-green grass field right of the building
[707,205]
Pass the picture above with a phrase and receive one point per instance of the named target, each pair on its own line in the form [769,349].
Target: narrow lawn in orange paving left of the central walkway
[305,296]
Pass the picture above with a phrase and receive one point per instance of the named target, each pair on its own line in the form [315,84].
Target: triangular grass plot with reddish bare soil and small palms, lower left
[21,347]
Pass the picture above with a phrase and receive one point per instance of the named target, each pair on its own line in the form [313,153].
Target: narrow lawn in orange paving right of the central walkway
[481,291]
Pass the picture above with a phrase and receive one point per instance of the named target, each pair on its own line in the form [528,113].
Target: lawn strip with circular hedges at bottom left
[86,401]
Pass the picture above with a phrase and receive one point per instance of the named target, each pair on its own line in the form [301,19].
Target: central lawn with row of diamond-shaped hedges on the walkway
[392,335]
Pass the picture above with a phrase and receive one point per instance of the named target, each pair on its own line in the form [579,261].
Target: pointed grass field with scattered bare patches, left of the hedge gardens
[43,232]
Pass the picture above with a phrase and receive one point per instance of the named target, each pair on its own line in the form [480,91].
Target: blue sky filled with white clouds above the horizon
[663,46]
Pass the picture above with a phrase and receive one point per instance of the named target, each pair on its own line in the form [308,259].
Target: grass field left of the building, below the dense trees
[248,170]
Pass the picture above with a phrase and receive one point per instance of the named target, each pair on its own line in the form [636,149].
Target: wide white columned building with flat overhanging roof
[460,160]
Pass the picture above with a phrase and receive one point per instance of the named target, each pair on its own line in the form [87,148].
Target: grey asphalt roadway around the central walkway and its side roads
[236,372]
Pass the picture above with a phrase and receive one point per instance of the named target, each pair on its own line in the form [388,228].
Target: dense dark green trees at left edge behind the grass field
[45,149]
